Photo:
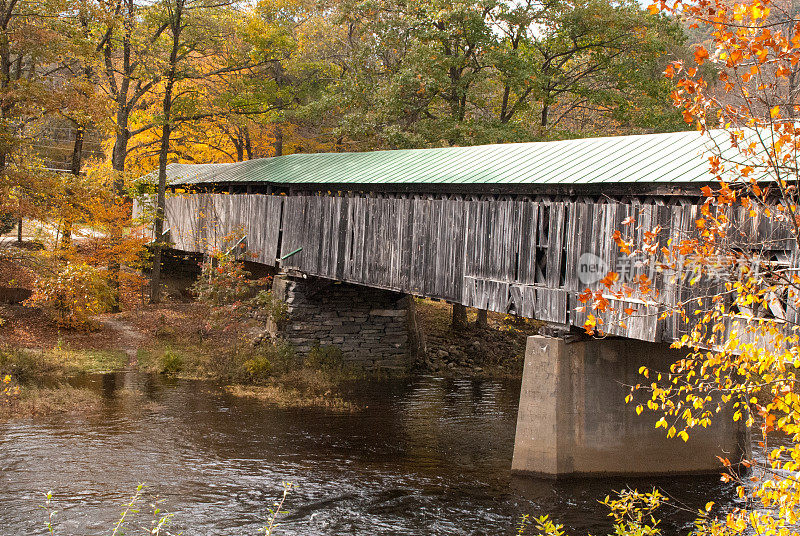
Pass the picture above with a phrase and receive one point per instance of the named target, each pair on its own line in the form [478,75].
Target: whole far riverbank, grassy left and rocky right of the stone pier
[187,340]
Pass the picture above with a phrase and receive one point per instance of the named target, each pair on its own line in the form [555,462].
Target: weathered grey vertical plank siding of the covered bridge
[517,255]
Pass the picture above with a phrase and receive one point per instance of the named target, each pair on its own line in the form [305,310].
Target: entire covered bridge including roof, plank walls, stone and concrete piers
[517,228]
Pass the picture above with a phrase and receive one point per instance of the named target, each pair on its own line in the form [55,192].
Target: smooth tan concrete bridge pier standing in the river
[573,419]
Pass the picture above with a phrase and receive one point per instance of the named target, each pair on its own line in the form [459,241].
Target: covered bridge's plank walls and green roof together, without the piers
[512,228]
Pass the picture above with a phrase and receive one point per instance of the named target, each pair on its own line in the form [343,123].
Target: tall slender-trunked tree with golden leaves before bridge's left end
[201,51]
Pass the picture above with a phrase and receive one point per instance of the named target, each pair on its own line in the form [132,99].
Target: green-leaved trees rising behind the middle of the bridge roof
[486,71]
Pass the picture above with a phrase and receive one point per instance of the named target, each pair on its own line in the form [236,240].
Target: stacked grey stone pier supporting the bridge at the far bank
[368,325]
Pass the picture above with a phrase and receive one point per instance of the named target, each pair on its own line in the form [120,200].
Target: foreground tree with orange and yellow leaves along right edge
[740,260]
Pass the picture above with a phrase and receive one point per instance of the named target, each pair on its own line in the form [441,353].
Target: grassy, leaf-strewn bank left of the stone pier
[177,339]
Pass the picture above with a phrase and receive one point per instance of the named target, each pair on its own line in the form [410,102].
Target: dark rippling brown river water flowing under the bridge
[423,456]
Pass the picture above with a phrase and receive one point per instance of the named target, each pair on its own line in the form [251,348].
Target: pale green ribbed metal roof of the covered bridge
[680,157]
